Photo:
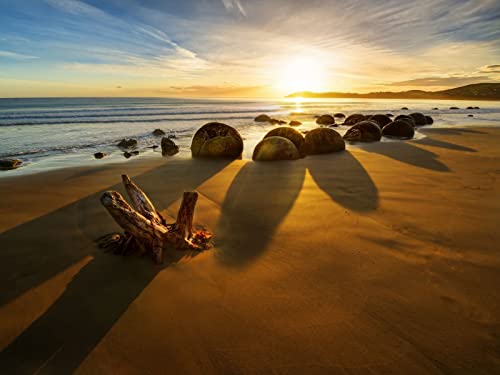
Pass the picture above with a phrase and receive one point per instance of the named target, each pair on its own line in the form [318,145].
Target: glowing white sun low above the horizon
[303,74]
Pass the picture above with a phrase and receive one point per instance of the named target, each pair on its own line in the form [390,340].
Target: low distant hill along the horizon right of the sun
[478,91]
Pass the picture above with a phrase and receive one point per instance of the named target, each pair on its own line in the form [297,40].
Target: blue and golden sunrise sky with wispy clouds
[244,48]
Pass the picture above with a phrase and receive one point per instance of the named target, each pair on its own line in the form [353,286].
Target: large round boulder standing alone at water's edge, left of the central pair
[217,140]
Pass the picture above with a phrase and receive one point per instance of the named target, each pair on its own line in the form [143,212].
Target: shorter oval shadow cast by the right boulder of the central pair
[345,180]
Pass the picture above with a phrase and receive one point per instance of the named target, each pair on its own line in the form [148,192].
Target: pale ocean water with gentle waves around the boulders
[51,133]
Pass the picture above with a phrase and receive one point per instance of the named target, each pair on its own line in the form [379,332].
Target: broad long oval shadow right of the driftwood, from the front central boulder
[259,198]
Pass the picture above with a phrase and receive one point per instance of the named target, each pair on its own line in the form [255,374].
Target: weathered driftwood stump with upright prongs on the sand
[145,228]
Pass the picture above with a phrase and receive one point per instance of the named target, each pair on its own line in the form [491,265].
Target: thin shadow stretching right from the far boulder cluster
[407,153]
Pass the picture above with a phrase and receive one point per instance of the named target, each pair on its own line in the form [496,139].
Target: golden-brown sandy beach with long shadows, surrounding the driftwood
[381,259]
